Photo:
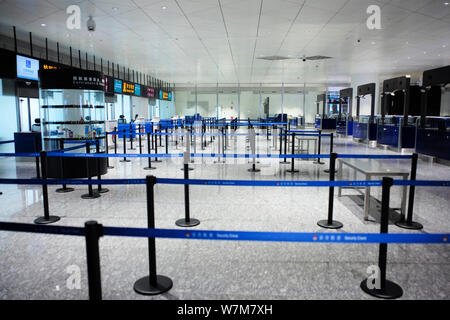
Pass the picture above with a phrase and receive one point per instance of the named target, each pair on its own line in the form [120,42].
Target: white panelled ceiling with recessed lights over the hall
[209,41]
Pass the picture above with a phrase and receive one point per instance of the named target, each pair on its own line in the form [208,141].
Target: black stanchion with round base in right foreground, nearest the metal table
[383,288]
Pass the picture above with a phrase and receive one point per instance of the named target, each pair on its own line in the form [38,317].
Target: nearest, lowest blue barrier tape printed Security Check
[236,235]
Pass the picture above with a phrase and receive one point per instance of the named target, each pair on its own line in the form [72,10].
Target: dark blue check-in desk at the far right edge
[434,139]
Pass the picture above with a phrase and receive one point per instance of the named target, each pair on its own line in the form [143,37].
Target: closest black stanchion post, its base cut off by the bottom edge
[93,231]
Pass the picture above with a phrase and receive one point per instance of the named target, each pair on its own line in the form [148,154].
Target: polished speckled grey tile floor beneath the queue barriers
[41,266]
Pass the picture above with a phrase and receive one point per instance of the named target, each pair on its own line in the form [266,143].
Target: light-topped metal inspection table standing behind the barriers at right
[373,168]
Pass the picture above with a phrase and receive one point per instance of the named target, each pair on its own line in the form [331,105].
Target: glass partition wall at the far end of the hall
[224,100]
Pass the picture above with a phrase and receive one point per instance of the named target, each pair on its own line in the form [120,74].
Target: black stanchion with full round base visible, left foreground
[152,284]
